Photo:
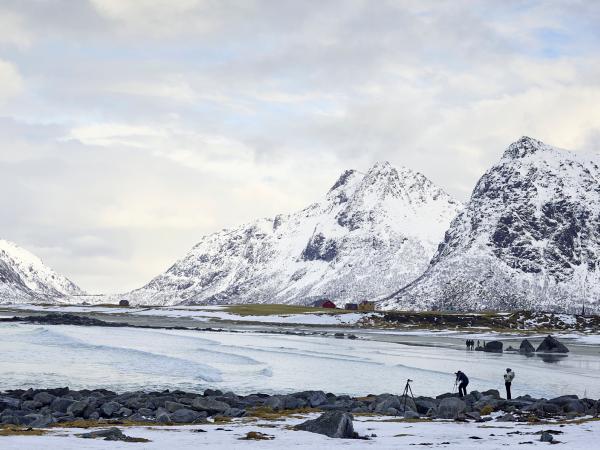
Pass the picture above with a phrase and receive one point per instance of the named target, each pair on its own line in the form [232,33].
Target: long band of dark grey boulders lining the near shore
[43,408]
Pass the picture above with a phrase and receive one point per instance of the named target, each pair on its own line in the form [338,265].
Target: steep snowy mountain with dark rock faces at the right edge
[529,238]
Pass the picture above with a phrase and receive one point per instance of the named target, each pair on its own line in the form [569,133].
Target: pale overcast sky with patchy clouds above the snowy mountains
[130,128]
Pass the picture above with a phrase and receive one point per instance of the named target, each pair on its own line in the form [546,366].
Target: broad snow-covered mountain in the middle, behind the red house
[370,234]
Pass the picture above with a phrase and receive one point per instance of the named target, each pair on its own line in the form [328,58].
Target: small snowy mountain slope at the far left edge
[24,278]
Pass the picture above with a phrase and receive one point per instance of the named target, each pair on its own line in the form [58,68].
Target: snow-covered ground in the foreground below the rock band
[389,435]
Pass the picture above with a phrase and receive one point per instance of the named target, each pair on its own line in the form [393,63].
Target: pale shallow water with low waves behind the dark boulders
[130,358]
